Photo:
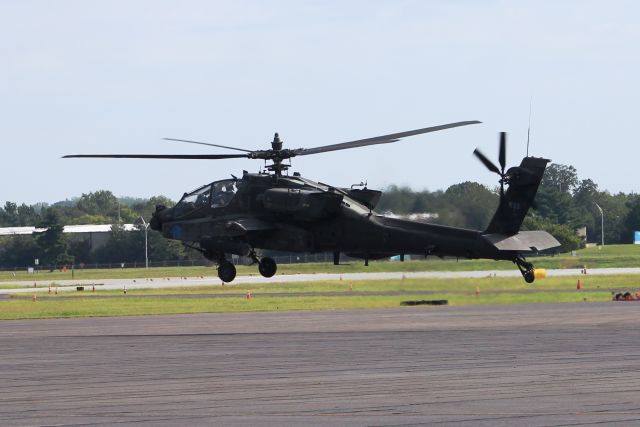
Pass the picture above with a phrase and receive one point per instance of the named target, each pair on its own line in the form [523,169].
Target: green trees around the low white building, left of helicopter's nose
[55,248]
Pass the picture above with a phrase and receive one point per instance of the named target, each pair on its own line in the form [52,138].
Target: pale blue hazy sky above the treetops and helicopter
[113,76]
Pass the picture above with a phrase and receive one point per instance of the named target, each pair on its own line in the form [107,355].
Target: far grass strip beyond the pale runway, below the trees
[609,256]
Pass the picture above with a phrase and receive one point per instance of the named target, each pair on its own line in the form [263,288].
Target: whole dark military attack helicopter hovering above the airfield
[276,211]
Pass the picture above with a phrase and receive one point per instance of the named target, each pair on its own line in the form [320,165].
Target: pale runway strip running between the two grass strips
[172,282]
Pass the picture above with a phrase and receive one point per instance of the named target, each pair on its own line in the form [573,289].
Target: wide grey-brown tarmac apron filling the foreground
[534,365]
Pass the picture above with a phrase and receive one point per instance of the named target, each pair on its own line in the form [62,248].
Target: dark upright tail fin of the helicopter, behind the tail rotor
[523,181]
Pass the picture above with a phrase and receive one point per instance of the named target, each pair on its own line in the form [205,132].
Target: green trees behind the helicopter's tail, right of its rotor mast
[564,203]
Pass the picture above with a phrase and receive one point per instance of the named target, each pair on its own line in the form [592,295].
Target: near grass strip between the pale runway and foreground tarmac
[353,295]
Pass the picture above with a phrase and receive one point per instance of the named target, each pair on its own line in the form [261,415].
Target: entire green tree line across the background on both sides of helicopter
[563,204]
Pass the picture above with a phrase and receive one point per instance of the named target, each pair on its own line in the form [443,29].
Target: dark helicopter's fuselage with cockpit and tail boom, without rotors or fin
[295,214]
